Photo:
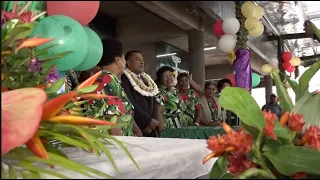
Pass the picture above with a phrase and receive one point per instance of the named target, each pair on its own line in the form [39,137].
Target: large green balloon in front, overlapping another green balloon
[69,35]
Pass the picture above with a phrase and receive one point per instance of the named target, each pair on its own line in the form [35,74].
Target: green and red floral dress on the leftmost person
[109,109]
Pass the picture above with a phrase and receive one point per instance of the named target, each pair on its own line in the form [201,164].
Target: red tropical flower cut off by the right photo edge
[312,137]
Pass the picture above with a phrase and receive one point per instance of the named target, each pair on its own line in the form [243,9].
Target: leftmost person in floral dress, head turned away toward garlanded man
[119,109]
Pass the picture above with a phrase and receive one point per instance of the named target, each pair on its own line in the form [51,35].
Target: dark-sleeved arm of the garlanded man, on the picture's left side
[140,116]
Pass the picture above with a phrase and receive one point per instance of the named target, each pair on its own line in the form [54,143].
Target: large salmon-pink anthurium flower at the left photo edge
[21,114]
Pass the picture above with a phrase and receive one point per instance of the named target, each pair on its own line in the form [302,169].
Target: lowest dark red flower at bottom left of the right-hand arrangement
[239,164]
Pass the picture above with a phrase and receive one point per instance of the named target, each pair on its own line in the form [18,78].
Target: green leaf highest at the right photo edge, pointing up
[307,76]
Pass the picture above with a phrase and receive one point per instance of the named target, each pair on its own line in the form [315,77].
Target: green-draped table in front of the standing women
[193,132]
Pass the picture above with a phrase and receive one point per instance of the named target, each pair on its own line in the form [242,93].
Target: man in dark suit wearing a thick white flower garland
[141,90]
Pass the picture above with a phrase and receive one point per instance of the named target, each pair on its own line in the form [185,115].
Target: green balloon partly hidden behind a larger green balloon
[95,50]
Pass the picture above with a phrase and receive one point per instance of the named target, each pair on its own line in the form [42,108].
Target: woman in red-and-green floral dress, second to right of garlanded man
[191,99]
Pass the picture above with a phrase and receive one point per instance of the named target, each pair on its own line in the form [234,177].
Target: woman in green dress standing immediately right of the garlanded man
[169,103]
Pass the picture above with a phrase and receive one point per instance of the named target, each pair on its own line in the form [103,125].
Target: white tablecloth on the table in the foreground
[158,158]
